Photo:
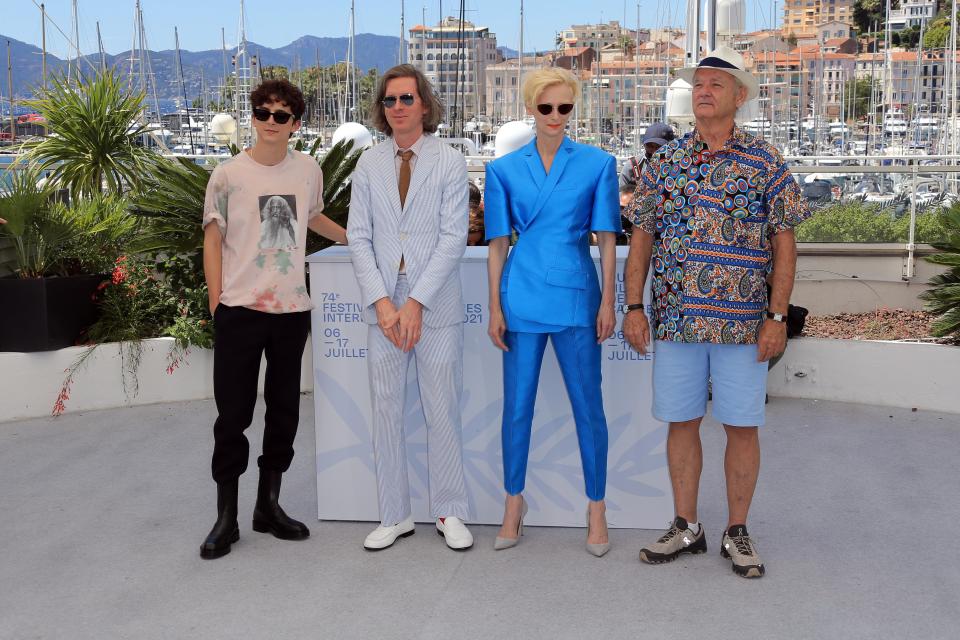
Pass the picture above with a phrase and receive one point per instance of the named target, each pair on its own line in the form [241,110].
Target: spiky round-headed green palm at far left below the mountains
[96,128]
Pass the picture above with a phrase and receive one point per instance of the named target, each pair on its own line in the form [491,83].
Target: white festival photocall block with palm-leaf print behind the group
[638,485]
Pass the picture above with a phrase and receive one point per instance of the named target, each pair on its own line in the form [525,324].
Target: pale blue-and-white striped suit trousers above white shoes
[439,358]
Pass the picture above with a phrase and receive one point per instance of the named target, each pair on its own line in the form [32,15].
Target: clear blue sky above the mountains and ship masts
[276,23]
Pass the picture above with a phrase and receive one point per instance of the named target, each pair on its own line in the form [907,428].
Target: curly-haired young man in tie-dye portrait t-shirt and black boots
[262,202]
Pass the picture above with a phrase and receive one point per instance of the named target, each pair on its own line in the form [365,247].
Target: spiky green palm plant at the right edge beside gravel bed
[943,299]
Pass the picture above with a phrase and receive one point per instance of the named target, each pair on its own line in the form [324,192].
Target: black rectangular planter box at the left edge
[42,314]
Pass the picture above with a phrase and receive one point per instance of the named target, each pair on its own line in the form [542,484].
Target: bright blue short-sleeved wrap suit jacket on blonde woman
[550,277]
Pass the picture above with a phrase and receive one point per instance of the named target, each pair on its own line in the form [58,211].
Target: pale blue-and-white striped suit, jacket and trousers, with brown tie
[429,233]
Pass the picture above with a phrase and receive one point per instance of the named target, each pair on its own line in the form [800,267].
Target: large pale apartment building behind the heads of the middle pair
[454,57]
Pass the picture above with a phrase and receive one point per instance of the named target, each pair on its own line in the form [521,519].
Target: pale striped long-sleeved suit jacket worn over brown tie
[429,232]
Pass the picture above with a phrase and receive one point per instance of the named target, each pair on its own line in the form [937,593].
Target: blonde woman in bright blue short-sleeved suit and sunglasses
[554,193]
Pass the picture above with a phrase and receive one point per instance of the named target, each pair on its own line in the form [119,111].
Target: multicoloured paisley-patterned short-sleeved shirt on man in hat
[712,215]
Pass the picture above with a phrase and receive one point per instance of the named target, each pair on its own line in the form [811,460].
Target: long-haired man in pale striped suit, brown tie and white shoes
[407,231]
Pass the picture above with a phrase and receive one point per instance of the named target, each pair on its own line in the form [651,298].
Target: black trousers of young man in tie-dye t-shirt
[241,337]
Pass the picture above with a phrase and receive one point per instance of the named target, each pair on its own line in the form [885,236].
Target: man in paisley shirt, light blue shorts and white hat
[714,214]
